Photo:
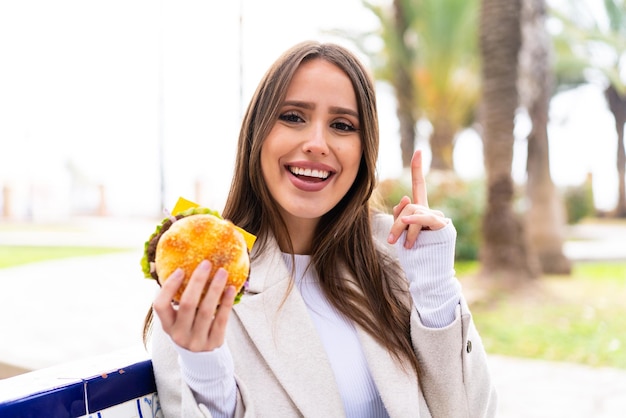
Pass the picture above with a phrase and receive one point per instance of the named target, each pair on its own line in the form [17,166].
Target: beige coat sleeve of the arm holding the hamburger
[175,396]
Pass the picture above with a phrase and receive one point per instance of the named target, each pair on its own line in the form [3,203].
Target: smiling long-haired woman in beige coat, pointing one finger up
[348,312]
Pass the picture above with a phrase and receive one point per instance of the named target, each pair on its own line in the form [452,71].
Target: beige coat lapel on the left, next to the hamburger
[277,321]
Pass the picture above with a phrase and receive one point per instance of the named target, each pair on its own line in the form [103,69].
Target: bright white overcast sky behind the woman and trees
[89,88]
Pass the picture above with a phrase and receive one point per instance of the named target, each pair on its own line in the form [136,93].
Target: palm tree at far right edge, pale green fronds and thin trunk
[596,44]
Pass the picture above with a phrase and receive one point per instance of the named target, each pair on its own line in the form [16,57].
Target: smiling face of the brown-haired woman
[311,156]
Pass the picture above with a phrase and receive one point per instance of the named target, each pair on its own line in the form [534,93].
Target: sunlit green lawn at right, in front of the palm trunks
[580,319]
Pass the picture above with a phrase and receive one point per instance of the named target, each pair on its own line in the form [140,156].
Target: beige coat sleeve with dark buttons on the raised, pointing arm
[454,372]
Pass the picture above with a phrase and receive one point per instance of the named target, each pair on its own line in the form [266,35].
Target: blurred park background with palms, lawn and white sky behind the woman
[109,111]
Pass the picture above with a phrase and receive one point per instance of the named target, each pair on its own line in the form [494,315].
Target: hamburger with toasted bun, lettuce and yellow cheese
[197,234]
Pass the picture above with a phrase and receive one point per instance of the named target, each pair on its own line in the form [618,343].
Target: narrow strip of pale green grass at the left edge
[11,256]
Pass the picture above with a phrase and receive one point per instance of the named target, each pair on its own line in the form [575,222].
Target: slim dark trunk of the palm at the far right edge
[617,105]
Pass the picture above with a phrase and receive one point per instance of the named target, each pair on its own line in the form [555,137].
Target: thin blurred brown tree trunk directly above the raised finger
[404,86]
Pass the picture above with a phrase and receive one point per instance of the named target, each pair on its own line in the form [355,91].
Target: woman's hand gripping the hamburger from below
[195,324]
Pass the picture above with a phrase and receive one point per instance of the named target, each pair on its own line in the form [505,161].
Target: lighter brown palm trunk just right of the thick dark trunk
[545,218]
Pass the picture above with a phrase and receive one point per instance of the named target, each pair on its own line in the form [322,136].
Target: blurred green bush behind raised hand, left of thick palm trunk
[459,200]
